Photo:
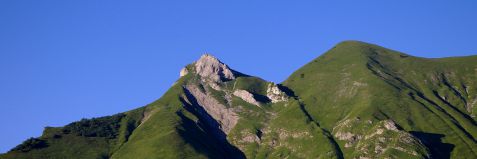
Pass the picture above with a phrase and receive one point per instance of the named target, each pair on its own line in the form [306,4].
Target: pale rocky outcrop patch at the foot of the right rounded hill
[374,139]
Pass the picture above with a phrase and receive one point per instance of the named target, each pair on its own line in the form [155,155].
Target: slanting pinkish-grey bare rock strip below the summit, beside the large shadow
[226,118]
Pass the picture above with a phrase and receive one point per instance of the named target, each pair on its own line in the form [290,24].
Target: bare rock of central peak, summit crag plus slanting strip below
[213,73]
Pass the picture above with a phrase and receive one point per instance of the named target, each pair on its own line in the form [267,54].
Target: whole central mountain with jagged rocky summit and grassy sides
[216,112]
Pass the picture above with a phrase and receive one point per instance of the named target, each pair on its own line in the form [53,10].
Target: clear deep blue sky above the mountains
[64,60]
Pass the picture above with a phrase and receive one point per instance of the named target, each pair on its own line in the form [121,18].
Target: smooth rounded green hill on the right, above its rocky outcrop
[428,97]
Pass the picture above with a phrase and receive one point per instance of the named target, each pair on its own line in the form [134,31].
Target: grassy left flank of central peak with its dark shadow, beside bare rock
[172,131]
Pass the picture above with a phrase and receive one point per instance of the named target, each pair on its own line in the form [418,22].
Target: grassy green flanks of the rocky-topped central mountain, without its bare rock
[177,131]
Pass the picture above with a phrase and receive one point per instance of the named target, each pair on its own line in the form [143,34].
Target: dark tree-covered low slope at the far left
[88,138]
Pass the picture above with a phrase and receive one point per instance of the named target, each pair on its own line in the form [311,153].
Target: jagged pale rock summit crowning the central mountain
[210,67]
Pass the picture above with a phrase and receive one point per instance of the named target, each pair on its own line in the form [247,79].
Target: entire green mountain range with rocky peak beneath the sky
[357,100]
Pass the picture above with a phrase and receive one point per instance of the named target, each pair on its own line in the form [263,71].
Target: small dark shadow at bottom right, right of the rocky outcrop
[437,148]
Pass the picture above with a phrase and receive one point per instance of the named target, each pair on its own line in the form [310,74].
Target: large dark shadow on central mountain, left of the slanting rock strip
[205,135]
